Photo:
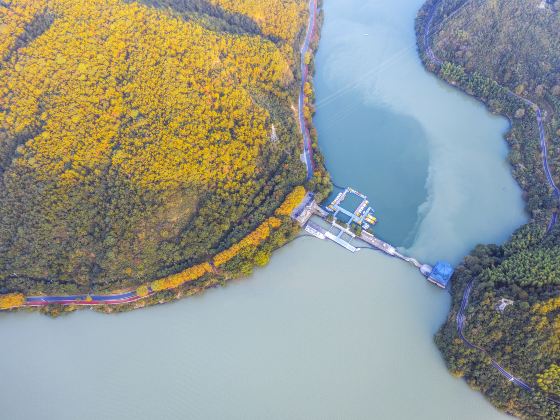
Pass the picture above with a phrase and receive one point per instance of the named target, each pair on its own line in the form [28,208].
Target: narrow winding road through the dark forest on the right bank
[461,316]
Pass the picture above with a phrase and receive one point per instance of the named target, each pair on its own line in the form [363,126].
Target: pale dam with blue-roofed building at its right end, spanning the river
[351,220]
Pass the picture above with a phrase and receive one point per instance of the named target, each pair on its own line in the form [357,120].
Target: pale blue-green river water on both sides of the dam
[320,332]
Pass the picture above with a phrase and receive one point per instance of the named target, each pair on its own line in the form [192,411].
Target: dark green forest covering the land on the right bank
[491,49]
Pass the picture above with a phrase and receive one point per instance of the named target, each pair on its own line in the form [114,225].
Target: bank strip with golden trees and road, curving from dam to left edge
[234,262]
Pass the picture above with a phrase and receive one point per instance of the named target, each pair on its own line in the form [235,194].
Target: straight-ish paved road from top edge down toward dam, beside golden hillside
[307,149]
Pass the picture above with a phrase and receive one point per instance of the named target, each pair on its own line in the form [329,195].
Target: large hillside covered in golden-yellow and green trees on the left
[136,137]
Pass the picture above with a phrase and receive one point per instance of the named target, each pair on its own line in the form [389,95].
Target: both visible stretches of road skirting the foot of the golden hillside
[131,295]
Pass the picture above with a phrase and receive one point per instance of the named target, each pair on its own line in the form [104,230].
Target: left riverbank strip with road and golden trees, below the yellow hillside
[231,263]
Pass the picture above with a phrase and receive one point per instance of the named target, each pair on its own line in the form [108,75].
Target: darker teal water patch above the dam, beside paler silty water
[381,153]
